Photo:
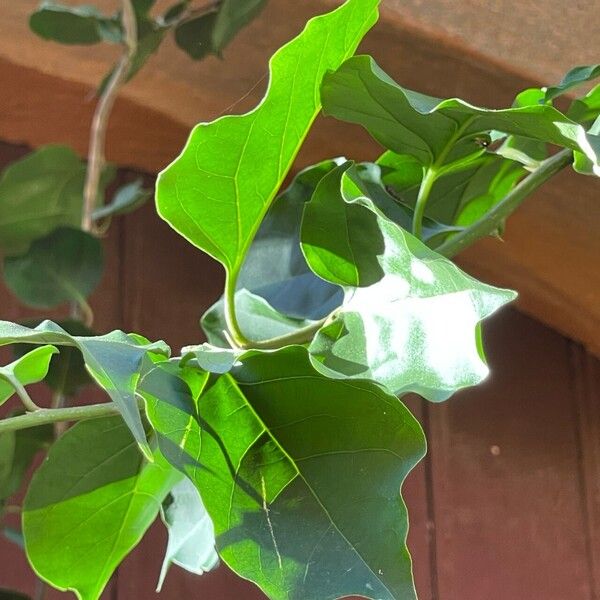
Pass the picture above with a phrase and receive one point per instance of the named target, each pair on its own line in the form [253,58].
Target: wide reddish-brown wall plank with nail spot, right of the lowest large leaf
[507,491]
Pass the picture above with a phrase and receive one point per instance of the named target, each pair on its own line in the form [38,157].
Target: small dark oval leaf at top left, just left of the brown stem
[74,24]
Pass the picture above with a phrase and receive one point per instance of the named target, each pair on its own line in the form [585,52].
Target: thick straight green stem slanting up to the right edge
[492,220]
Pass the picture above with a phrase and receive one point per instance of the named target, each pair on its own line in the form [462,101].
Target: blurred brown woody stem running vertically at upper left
[96,160]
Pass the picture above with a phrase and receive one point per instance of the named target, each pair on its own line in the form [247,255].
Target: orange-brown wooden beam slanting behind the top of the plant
[552,246]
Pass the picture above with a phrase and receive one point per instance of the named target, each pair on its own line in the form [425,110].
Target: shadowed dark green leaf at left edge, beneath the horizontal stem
[17,451]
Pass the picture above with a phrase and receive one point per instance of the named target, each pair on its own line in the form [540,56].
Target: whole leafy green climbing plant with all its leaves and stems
[280,446]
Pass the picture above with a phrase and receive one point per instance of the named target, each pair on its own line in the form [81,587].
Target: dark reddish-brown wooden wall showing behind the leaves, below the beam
[506,506]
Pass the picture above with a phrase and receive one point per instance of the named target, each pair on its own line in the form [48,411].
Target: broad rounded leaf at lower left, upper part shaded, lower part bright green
[89,504]
